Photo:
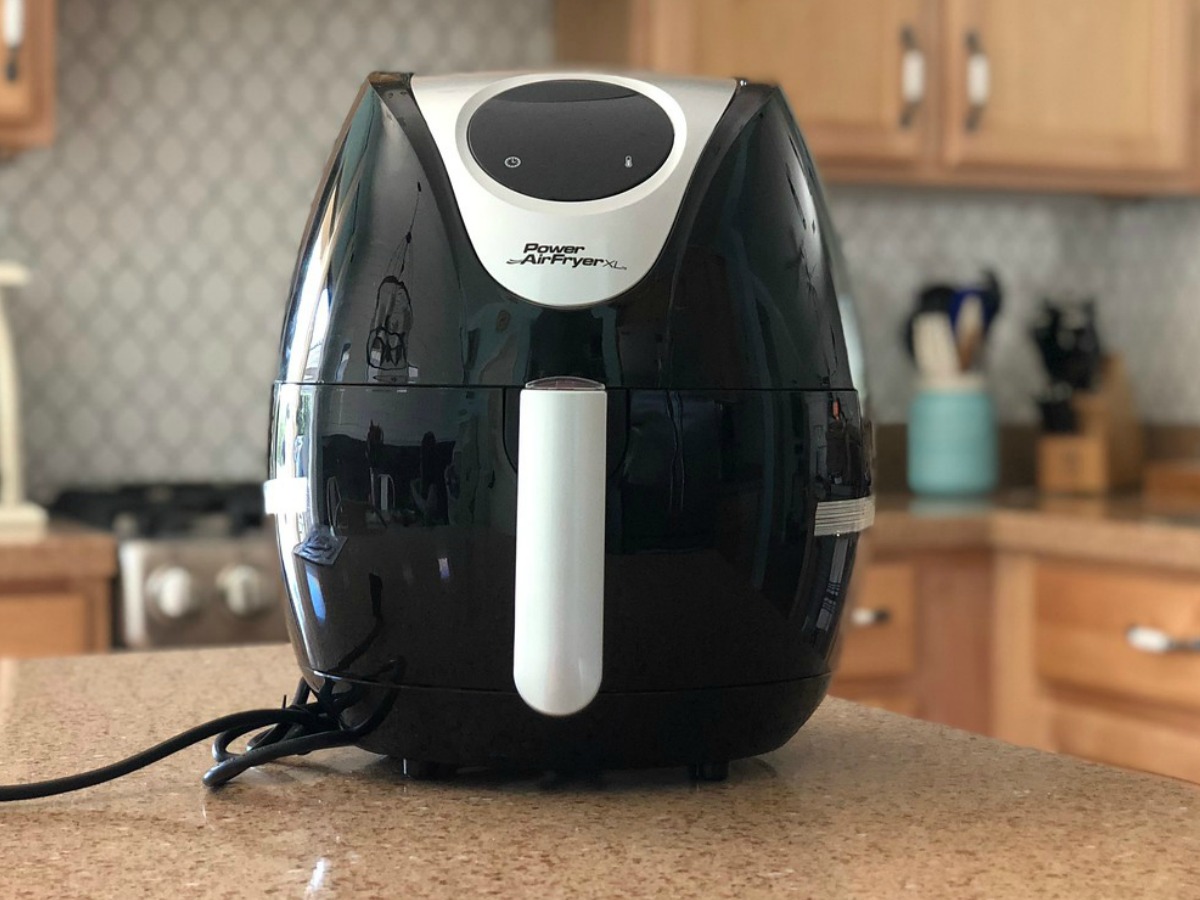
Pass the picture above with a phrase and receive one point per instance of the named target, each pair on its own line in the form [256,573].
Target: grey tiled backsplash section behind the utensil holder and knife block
[1141,260]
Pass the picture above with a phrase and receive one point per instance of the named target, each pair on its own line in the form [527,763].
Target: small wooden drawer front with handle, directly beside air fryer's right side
[880,631]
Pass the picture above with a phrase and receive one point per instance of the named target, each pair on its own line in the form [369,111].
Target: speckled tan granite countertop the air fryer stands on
[860,805]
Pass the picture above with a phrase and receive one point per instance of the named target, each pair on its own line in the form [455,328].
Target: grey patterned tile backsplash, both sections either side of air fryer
[163,225]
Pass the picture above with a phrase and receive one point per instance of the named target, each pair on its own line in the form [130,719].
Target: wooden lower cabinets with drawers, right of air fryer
[1031,649]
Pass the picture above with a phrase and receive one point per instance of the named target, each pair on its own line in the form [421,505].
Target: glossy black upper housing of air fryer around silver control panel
[388,290]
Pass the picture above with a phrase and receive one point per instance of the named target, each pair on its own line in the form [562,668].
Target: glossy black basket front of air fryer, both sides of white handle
[712,574]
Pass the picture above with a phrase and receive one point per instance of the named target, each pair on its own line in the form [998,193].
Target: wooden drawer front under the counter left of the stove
[46,625]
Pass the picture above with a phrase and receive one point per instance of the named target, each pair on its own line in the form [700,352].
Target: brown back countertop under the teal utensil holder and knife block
[1120,530]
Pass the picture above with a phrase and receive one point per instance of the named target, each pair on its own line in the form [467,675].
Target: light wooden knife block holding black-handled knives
[1107,453]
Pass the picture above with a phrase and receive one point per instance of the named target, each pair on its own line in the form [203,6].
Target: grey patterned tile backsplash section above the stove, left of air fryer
[164,223]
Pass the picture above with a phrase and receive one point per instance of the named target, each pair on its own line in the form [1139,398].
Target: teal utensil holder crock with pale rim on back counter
[952,439]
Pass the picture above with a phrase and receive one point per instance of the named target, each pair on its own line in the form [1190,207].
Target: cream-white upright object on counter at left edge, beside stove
[19,519]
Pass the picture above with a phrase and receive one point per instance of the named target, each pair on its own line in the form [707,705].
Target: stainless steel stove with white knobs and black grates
[197,563]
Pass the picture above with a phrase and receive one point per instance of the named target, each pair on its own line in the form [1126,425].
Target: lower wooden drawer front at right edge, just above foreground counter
[1109,737]
